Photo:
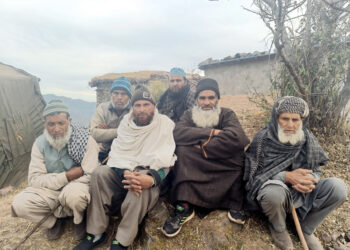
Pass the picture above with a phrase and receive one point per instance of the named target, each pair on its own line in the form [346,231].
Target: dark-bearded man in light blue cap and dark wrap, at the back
[178,97]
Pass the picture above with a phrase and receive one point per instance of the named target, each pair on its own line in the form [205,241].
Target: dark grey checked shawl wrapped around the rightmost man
[267,156]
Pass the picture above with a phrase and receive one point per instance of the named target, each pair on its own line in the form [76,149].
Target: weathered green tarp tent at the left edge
[21,106]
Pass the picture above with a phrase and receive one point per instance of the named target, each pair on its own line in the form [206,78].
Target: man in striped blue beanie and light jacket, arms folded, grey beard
[108,115]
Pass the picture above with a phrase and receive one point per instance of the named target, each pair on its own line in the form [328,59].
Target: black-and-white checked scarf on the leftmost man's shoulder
[77,143]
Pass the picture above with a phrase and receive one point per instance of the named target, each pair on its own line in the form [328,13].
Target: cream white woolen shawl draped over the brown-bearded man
[152,145]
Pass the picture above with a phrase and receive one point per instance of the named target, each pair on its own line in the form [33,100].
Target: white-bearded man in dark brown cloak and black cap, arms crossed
[210,147]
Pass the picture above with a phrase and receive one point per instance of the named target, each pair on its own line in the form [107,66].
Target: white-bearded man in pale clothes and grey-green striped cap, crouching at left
[62,159]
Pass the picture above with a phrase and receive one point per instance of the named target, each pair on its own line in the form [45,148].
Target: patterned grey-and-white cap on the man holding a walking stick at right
[292,104]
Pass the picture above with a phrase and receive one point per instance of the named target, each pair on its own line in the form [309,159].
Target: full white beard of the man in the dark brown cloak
[205,118]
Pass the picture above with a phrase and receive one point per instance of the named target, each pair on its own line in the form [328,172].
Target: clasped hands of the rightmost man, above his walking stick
[301,180]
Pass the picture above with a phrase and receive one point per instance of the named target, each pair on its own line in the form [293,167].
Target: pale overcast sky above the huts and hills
[67,43]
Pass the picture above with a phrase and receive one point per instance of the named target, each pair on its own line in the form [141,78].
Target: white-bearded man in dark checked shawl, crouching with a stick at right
[282,168]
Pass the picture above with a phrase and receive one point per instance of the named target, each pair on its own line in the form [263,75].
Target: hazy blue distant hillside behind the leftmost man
[80,111]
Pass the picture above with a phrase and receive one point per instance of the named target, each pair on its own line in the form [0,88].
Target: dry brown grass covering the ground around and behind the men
[198,233]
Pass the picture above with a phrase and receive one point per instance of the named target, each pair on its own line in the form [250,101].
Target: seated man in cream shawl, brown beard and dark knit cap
[139,159]
